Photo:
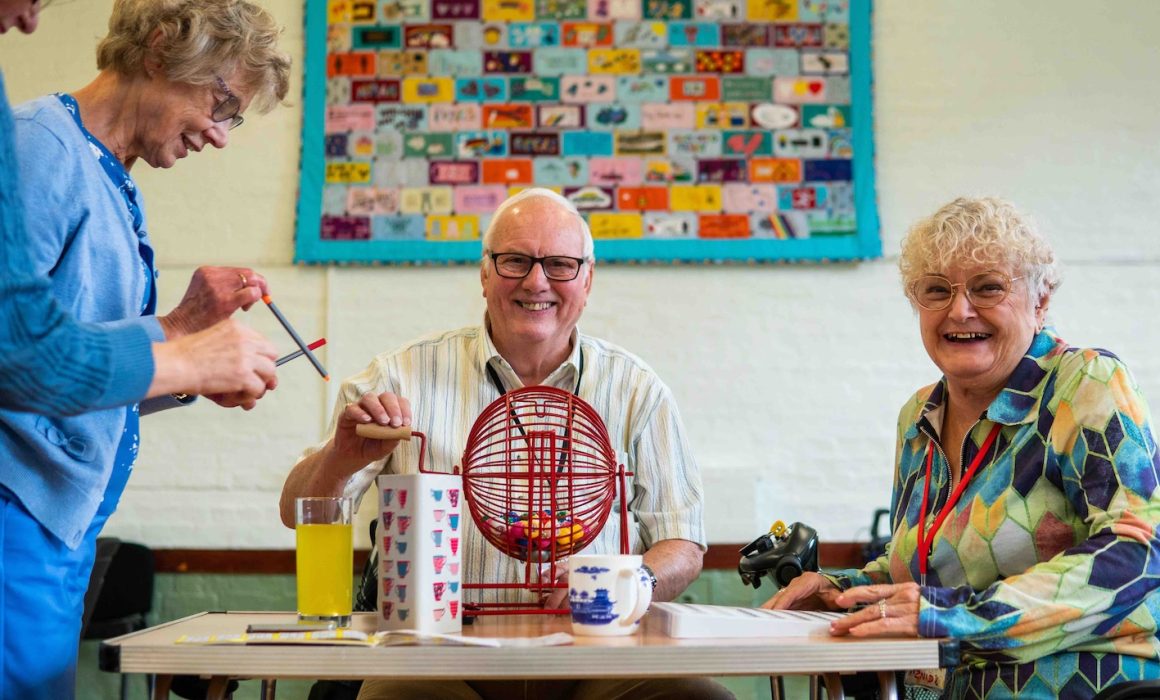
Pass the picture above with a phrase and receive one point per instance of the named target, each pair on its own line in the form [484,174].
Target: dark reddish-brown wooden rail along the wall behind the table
[282,561]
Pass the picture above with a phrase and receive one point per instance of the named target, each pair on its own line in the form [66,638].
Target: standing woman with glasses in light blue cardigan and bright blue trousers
[176,76]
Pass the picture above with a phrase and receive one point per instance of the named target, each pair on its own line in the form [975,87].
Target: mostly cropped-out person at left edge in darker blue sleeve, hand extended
[52,364]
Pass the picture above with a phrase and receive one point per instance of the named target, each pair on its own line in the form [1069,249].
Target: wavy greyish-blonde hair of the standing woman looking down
[194,41]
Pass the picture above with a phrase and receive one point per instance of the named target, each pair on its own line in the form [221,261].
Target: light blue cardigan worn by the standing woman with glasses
[79,235]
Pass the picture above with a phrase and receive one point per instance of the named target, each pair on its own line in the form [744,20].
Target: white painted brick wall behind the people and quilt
[789,378]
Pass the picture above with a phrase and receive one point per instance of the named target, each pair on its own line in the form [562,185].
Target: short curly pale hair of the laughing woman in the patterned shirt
[980,233]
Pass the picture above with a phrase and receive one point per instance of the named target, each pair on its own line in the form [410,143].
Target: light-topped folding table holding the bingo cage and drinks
[649,654]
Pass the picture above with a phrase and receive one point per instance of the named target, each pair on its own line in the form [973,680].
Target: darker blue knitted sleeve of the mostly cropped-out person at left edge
[48,362]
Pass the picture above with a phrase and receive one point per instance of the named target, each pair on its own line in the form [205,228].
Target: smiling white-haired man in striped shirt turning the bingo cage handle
[538,270]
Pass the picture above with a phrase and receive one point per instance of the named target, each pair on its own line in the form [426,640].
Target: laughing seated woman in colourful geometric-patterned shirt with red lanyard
[1025,509]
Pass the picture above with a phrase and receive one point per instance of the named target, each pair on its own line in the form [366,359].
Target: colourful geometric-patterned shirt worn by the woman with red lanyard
[1048,567]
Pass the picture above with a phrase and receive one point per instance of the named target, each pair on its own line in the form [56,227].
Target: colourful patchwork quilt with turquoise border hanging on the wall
[684,131]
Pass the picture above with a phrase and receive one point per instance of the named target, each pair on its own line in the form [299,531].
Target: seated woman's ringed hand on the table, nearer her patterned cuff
[891,611]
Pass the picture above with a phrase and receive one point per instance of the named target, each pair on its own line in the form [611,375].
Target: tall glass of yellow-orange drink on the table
[325,560]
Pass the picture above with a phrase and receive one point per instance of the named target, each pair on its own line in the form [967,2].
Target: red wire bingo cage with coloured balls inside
[540,479]
